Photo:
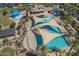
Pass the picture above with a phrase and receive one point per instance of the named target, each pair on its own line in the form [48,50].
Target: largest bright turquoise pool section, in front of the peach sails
[58,43]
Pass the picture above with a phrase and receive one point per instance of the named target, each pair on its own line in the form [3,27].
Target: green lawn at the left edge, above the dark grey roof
[5,21]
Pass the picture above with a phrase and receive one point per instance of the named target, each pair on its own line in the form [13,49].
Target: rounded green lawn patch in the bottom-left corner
[7,51]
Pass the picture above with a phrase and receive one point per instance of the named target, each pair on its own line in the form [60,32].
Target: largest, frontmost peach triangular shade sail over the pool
[47,36]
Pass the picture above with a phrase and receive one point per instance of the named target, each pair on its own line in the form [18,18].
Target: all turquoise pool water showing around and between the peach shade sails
[56,43]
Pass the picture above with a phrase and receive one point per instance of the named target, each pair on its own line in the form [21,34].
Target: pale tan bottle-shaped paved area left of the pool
[30,39]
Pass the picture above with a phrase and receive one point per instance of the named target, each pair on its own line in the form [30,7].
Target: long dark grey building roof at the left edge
[7,32]
